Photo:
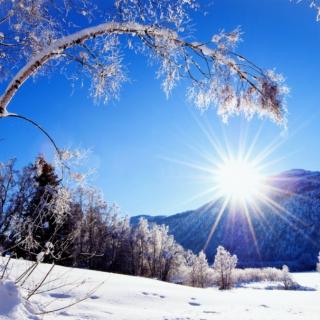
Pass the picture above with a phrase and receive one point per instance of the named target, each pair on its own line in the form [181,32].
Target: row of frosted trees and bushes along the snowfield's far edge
[46,219]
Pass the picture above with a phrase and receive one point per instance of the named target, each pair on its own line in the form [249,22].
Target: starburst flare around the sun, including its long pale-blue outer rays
[237,180]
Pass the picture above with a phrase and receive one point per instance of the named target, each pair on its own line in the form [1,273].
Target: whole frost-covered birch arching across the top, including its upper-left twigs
[44,35]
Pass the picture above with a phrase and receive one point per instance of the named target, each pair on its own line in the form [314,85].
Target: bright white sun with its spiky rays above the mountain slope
[238,181]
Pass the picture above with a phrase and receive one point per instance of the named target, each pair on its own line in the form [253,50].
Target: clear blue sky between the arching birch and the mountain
[133,138]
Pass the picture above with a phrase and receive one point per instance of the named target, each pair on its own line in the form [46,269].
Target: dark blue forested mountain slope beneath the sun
[286,229]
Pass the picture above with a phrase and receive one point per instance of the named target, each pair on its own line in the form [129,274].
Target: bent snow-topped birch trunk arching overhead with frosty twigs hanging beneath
[223,81]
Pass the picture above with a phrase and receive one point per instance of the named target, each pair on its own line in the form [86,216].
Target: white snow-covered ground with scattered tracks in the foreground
[120,297]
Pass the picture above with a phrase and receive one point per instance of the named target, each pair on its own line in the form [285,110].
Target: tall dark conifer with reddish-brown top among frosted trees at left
[43,214]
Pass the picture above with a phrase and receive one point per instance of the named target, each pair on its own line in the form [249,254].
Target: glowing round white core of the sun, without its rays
[239,180]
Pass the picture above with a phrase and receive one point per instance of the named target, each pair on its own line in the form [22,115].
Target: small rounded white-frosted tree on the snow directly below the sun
[224,265]
